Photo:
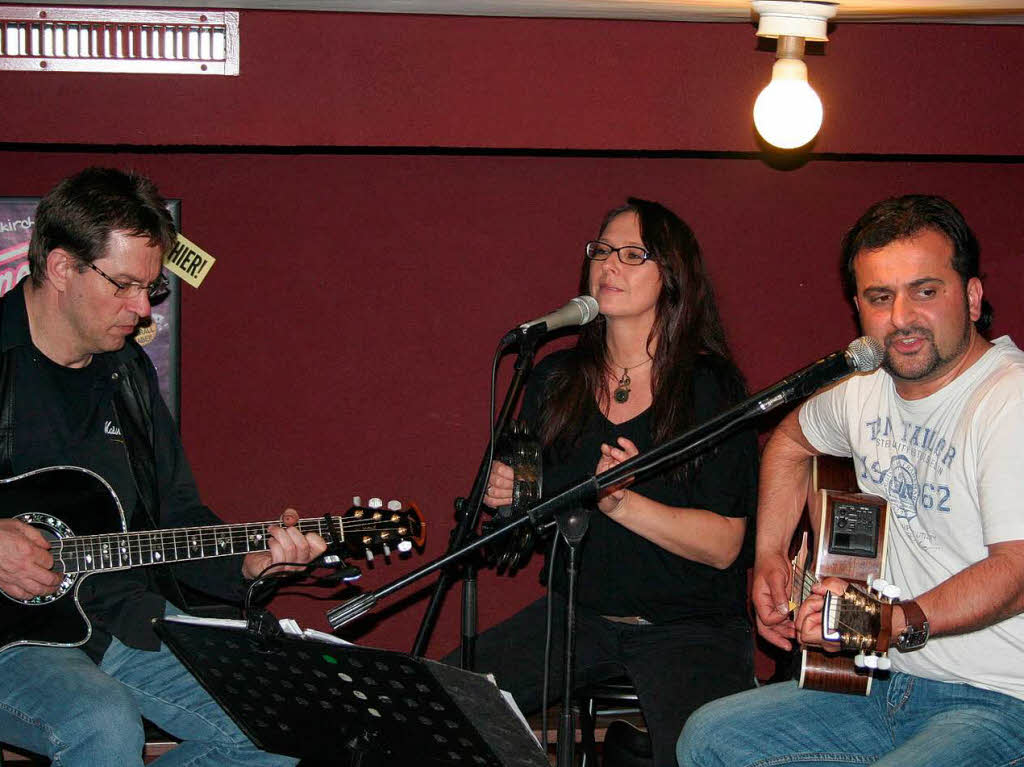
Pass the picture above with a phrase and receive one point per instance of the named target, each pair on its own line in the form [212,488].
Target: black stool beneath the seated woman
[614,698]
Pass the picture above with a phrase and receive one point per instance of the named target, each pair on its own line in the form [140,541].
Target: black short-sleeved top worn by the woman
[623,574]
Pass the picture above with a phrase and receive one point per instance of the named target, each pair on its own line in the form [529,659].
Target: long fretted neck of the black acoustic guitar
[123,550]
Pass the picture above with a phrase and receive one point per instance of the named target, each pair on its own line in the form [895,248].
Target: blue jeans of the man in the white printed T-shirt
[906,722]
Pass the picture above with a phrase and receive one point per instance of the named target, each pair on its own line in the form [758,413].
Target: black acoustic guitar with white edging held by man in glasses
[82,518]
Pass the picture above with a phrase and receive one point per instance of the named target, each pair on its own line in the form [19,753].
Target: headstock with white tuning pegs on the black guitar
[381,528]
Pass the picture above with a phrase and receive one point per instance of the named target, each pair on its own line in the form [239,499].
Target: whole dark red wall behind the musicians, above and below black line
[343,344]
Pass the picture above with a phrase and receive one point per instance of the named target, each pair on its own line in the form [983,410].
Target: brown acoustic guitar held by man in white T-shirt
[851,544]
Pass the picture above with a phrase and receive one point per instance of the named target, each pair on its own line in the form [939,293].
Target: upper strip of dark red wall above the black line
[352,80]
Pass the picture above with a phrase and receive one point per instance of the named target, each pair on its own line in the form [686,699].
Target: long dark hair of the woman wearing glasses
[688,328]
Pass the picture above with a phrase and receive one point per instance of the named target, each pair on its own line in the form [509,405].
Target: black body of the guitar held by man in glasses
[60,502]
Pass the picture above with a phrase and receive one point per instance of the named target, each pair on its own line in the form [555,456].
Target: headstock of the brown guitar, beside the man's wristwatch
[861,620]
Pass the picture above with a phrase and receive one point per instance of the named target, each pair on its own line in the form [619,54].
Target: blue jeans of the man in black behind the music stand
[57,702]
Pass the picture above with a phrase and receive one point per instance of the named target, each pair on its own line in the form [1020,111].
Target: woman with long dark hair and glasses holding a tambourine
[663,571]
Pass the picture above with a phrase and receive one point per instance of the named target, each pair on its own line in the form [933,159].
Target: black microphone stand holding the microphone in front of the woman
[468,513]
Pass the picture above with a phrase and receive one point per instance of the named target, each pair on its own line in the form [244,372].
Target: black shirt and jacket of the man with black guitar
[66,416]
